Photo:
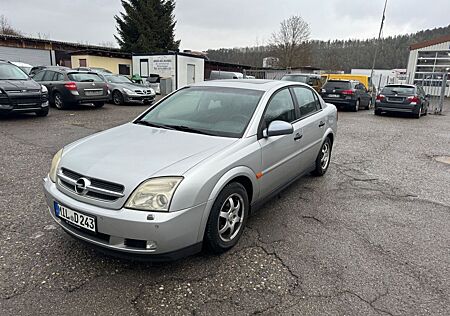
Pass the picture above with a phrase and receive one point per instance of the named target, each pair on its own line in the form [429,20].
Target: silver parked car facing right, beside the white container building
[123,90]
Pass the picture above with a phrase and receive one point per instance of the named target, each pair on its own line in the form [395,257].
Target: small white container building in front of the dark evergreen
[182,68]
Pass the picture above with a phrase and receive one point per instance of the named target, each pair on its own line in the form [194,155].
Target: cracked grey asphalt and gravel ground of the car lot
[370,238]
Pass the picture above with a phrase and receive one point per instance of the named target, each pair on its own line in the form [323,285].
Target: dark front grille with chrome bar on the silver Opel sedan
[99,189]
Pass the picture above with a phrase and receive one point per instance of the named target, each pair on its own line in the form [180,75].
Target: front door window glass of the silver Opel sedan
[281,107]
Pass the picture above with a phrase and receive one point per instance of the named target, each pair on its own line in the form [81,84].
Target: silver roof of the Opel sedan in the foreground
[251,84]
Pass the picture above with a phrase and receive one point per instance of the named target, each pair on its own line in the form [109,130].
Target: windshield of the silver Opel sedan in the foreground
[207,110]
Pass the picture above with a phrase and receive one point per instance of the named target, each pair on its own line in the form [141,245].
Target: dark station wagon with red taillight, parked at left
[67,87]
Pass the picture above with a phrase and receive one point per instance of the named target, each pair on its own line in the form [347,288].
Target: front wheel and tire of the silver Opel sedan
[222,215]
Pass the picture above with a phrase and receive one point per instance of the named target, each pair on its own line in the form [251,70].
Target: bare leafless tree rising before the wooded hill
[290,42]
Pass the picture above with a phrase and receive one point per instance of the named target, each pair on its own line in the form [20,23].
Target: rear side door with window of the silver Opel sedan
[312,123]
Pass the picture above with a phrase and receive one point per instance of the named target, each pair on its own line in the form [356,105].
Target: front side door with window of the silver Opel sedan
[279,154]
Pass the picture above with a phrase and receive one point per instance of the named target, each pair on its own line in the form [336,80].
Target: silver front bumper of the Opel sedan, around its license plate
[118,230]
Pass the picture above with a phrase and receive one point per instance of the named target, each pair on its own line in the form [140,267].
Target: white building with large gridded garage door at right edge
[428,62]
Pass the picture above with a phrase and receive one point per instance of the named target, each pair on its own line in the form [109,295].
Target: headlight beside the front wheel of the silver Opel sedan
[154,194]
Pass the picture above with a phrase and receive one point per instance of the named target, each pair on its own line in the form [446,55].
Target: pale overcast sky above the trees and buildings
[204,24]
